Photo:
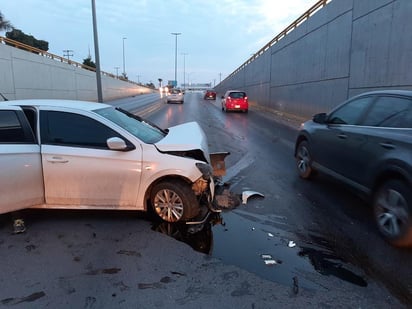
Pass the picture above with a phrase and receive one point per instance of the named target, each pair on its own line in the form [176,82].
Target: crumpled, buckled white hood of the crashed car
[184,138]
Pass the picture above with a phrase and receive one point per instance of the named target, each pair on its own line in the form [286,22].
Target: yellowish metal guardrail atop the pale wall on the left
[46,54]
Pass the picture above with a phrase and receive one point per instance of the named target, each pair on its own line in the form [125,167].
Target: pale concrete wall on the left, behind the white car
[25,75]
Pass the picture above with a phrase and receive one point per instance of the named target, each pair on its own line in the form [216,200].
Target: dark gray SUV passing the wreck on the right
[366,142]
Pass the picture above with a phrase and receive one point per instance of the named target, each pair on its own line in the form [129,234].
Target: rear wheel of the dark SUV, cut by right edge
[392,207]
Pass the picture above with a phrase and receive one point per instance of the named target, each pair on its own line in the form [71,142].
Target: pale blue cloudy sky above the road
[216,36]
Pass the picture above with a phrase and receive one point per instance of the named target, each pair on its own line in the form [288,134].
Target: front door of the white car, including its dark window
[79,168]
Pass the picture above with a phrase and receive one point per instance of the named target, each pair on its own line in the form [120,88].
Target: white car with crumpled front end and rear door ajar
[84,155]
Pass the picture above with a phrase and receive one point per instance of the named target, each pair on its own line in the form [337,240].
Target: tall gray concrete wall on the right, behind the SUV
[347,47]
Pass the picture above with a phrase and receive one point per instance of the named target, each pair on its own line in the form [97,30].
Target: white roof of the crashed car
[82,105]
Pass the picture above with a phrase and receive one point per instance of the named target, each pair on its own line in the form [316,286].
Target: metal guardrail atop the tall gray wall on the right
[317,6]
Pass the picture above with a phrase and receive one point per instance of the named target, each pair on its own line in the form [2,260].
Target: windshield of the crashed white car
[140,128]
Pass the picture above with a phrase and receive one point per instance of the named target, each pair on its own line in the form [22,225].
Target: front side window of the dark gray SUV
[350,112]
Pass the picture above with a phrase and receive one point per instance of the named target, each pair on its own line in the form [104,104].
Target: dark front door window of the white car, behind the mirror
[69,129]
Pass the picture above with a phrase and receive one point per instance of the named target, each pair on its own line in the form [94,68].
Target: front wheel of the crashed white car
[174,201]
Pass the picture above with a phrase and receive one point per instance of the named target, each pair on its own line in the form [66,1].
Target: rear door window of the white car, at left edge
[11,129]
